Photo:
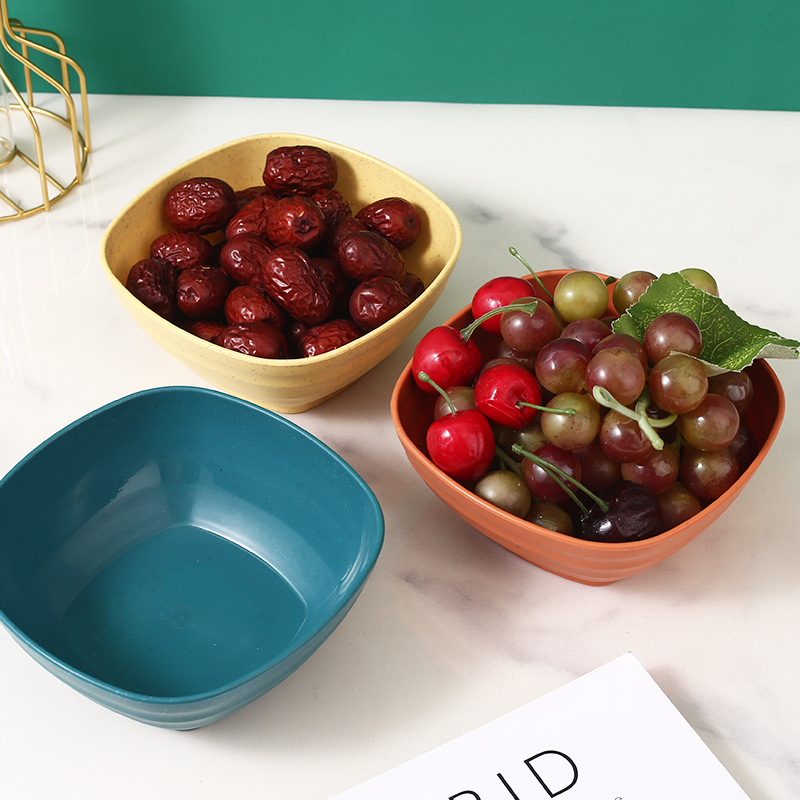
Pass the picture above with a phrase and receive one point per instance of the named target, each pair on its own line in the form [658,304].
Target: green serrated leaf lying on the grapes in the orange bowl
[729,343]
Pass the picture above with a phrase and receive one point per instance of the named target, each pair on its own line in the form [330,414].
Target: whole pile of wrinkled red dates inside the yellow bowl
[284,269]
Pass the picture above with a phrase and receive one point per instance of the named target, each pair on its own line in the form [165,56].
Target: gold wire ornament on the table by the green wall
[24,44]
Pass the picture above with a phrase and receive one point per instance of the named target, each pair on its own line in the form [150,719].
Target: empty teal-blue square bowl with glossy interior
[177,553]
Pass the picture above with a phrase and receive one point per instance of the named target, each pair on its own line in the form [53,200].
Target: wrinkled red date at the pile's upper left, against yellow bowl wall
[200,205]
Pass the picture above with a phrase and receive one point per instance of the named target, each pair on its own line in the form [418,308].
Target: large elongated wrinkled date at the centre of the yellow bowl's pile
[295,285]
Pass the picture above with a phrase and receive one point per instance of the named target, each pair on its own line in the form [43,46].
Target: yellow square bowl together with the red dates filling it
[239,216]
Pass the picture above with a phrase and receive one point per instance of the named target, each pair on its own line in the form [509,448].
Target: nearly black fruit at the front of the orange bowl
[633,514]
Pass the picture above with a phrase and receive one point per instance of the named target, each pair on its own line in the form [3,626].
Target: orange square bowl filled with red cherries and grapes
[603,483]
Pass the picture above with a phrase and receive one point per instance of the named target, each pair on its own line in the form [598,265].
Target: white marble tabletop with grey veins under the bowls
[451,631]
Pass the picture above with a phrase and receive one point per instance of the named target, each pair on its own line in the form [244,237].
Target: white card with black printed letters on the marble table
[609,735]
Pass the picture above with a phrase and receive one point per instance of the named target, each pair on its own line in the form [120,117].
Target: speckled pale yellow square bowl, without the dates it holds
[285,385]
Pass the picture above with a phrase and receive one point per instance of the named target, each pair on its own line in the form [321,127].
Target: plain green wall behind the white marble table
[679,53]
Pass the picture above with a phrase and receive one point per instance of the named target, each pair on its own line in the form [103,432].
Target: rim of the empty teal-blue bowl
[368,560]
